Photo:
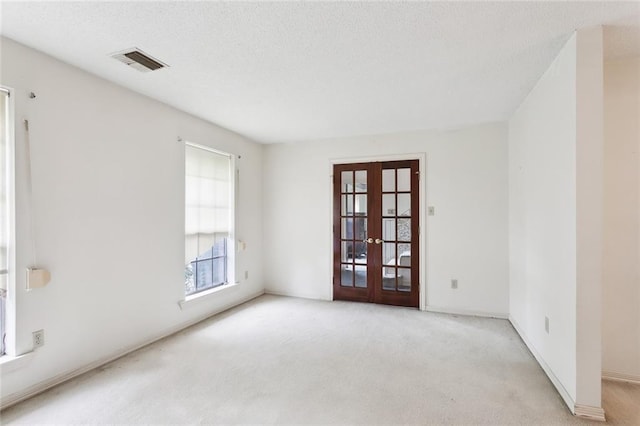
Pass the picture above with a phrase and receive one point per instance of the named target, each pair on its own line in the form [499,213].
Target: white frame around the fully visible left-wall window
[230,264]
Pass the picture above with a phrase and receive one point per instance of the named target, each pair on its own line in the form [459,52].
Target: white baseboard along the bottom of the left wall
[40,387]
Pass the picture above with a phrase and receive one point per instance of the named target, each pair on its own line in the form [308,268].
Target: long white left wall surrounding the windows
[108,192]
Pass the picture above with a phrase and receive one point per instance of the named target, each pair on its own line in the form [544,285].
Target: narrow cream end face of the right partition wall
[589,190]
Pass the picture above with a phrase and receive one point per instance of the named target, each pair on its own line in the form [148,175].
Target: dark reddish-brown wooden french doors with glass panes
[375,232]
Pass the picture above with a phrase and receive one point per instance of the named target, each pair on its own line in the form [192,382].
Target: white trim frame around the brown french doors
[422,244]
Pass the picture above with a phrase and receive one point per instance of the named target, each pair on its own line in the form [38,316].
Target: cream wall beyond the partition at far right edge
[621,254]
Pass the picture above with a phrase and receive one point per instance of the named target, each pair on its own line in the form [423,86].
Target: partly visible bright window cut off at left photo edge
[4,212]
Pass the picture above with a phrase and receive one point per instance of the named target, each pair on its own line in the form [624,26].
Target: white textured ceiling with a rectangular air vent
[293,71]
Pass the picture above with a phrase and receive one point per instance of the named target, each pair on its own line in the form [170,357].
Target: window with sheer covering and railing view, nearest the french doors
[208,218]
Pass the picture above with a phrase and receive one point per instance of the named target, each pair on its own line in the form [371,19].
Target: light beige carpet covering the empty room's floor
[279,360]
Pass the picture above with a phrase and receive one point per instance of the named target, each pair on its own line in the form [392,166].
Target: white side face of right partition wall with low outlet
[542,217]
